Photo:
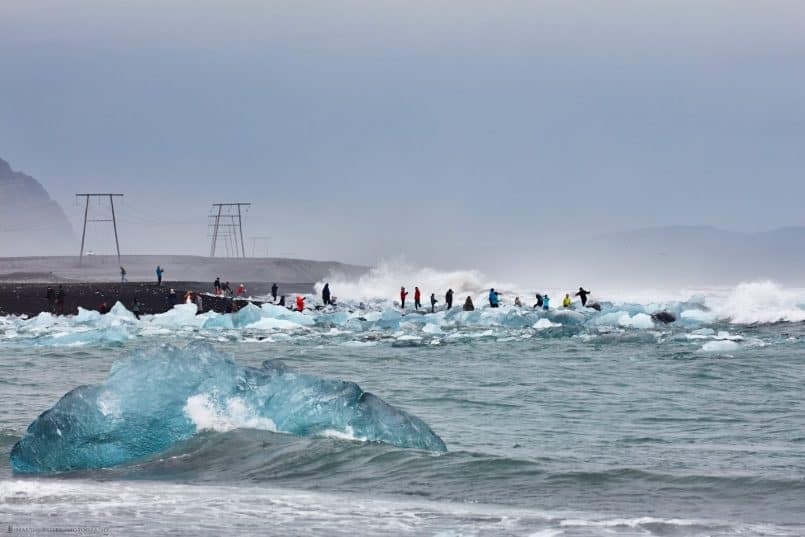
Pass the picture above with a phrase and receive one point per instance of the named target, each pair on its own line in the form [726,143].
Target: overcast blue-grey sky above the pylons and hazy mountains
[446,131]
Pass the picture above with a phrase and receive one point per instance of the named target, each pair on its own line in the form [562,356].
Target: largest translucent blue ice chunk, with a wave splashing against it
[156,398]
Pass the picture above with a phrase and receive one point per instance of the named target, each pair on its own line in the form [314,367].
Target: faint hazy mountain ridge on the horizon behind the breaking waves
[665,258]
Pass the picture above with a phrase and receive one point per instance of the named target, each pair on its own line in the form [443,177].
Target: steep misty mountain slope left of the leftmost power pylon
[30,221]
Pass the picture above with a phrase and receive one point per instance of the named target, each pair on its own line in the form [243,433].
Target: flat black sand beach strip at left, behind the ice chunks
[30,298]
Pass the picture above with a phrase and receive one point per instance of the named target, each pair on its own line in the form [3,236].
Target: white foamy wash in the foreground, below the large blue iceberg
[198,508]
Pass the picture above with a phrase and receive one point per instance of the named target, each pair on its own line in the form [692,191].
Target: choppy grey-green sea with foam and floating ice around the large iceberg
[556,424]
